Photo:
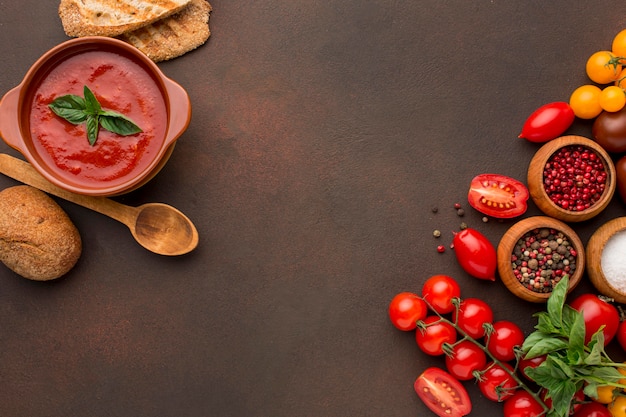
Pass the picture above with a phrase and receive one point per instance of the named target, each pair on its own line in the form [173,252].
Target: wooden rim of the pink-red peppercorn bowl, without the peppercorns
[538,192]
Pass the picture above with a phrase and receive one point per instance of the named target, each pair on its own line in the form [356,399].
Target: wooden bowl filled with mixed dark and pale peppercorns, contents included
[536,253]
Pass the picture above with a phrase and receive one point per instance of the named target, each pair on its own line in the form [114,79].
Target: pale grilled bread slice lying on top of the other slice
[113,17]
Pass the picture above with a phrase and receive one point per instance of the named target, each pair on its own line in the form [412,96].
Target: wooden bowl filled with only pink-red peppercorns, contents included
[571,178]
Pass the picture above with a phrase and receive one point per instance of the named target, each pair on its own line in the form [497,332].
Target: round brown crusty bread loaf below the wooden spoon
[37,239]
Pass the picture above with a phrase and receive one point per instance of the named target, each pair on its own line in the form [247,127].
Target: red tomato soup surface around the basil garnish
[120,84]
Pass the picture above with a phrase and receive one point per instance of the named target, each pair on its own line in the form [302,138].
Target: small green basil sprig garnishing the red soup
[78,110]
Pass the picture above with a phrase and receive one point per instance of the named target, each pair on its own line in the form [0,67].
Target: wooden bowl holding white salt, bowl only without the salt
[595,247]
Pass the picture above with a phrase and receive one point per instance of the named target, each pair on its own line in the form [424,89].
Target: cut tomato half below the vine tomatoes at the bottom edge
[442,393]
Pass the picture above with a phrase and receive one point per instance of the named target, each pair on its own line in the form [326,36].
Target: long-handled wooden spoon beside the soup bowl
[157,227]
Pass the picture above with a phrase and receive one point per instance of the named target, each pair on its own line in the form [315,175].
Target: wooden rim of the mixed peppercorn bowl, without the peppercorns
[514,234]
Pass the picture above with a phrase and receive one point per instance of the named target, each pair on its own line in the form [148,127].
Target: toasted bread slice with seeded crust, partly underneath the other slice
[173,36]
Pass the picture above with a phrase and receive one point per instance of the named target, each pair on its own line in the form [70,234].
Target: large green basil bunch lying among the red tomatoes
[570,363]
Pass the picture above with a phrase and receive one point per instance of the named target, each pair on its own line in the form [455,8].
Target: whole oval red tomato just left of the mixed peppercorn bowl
[475,253]
